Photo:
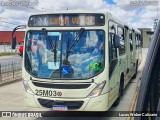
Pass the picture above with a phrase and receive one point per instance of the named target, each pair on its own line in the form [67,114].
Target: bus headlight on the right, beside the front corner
[97,91]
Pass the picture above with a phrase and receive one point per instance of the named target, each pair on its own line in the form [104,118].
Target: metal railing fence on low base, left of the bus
[10,71]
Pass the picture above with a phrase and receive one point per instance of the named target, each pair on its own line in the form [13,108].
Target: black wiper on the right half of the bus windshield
[75,41]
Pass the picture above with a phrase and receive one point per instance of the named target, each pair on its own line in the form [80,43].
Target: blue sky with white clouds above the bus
[139,15]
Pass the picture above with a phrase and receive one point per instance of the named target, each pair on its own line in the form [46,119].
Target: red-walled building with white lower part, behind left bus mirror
[6,39]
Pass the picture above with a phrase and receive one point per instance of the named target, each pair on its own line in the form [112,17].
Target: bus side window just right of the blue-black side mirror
[122,41]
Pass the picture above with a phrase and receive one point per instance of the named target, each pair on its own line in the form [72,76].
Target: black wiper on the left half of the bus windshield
[54,48]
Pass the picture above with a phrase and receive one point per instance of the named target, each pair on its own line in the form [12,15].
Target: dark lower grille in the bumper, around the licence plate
[70,104]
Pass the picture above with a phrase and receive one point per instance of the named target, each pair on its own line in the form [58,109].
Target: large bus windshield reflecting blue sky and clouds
[53,55]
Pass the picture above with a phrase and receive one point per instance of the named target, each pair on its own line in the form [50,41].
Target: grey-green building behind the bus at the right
[146,38]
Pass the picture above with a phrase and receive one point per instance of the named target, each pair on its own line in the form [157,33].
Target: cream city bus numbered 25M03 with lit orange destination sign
[78,60]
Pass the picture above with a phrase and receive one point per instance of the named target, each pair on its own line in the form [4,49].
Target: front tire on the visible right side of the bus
[116,103]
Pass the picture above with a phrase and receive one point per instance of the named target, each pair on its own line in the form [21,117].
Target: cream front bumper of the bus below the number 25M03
[99,103]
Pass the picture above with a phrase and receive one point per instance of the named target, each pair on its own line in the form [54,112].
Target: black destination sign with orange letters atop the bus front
[66,20]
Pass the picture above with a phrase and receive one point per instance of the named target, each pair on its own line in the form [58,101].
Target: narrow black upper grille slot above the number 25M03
[62,86]
